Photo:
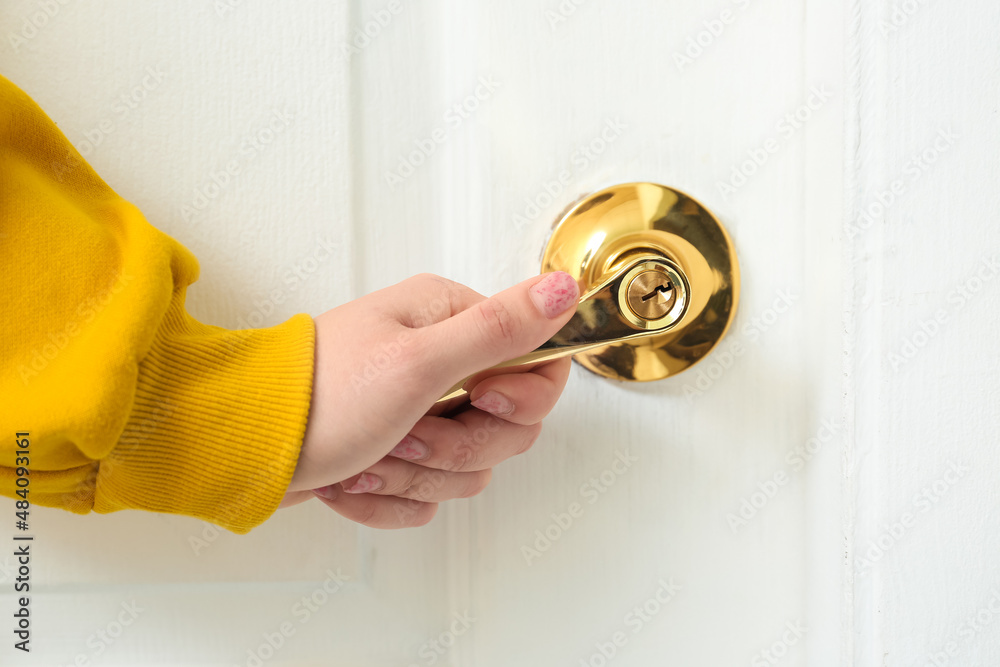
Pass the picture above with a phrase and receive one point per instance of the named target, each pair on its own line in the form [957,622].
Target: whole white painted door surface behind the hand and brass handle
[821,490]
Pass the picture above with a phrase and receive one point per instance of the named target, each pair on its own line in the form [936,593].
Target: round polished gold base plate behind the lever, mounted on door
[603,230]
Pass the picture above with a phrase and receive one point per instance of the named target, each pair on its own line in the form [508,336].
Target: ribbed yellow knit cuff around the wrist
[217,423]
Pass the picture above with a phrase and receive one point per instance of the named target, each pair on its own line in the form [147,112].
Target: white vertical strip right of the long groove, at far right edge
[921,369]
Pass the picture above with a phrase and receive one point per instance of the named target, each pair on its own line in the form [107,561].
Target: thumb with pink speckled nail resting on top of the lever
[507,325]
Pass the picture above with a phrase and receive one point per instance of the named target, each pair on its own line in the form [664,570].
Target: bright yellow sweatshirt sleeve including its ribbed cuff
[130,403]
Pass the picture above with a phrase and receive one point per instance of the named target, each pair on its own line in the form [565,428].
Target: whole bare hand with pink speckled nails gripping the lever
[375,448]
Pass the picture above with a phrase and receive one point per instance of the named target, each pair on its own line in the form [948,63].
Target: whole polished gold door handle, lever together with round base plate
[660,284]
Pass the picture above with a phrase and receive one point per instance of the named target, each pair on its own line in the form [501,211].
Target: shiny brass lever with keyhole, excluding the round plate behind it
[647,296]
